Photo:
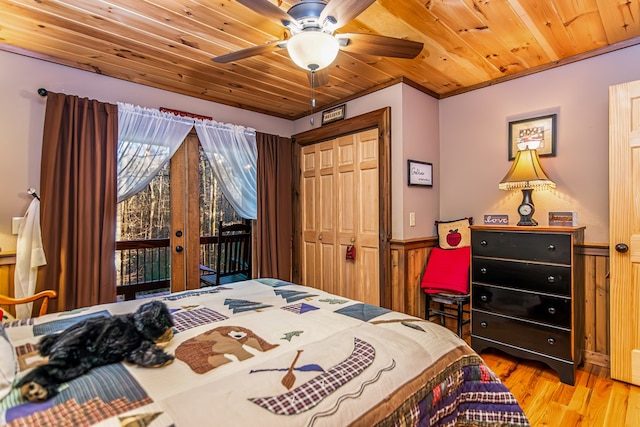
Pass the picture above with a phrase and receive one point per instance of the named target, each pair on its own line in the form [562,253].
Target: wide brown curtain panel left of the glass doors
[78,201]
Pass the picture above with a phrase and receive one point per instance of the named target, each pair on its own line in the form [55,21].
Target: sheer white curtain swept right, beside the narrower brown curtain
[231,150]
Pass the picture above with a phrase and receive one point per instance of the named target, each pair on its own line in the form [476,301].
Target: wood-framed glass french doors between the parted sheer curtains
[158,230]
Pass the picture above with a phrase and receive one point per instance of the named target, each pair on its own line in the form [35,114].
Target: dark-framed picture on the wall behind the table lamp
[537,132]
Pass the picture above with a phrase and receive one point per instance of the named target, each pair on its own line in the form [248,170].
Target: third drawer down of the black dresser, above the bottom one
[527,305]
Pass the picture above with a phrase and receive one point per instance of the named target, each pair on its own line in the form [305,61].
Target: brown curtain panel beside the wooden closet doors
[274,224]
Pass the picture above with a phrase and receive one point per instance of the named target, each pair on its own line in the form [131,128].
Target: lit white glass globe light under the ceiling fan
[313,50]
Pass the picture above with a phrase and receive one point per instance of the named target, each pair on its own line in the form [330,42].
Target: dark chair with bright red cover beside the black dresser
[445,281]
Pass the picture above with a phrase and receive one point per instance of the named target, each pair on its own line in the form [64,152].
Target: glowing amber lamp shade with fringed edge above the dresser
[526,172]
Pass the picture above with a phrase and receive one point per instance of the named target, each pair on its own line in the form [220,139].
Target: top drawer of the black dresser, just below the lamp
[541,247]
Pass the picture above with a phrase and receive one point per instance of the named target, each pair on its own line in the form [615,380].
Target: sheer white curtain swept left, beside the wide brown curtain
[147,139]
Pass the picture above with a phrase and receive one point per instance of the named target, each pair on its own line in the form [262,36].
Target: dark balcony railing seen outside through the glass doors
[144,266]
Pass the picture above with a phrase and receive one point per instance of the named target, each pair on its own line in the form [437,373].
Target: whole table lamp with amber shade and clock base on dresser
[526,173]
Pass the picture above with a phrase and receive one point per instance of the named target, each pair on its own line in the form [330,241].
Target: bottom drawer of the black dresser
[531,336]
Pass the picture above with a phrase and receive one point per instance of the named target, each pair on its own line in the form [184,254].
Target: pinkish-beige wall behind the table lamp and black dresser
[473,142]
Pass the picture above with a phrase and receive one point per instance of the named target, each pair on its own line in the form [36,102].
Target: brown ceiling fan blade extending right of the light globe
[373,44]
